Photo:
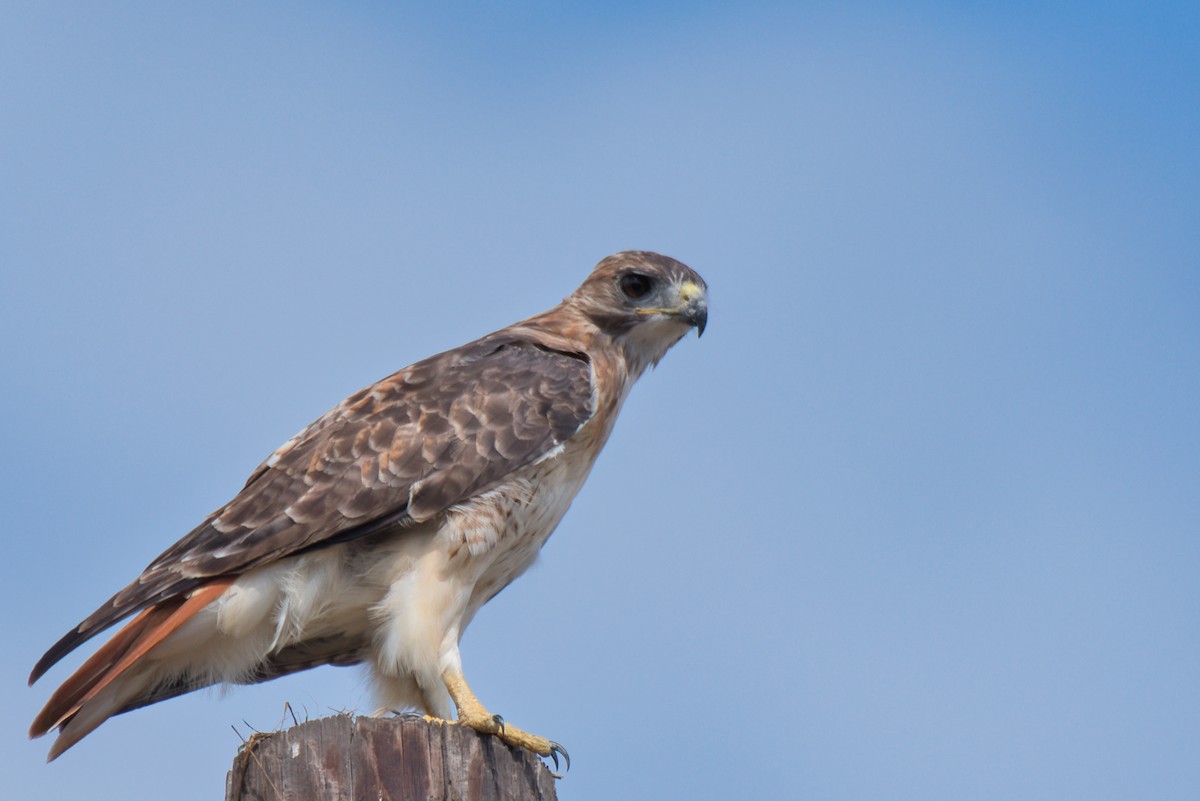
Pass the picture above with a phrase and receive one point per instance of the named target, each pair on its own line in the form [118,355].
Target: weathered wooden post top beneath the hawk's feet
[345,758]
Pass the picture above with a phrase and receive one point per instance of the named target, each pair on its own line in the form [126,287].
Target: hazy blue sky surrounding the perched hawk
[920,516]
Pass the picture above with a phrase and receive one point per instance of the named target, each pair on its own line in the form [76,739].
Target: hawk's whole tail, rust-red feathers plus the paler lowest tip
[115,659]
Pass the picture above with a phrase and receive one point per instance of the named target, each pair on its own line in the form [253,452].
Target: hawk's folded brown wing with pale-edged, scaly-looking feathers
[400,451]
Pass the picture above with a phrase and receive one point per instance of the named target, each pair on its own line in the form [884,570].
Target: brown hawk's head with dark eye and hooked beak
[646,302]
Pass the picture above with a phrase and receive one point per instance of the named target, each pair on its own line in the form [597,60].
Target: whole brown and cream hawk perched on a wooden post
[377,533]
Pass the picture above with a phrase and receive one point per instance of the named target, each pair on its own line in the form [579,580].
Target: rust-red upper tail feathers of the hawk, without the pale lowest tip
[121,653]
